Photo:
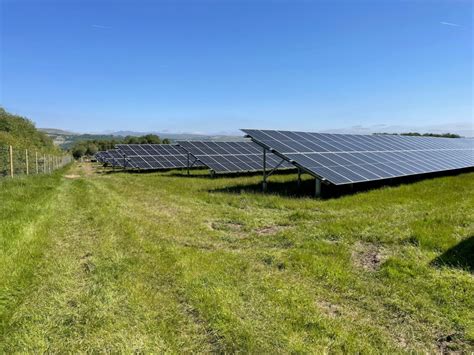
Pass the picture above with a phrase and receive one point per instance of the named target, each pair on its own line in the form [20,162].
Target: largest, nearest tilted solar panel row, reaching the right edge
[344,158]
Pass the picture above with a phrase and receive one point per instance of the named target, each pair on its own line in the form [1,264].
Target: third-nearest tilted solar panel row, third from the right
[156,156]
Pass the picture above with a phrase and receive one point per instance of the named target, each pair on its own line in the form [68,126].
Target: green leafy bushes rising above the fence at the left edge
[21,132]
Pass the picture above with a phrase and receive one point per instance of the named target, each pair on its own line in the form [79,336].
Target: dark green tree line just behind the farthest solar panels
[91,147]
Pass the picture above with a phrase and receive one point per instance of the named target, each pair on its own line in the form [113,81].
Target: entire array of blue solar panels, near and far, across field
[335,158]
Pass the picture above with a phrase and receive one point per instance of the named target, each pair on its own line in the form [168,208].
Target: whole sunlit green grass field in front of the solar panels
[162,262]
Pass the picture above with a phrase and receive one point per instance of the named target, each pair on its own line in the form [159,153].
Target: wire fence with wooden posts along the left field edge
[19,161]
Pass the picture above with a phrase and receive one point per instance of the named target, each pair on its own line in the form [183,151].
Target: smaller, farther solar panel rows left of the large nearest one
[220,157]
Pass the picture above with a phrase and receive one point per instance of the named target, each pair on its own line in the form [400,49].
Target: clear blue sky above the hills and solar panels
[217,66]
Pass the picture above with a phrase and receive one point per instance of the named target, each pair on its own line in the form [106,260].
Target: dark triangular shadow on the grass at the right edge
[460,256]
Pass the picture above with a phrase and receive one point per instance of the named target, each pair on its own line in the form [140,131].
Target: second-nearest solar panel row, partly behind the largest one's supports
[228,157]
